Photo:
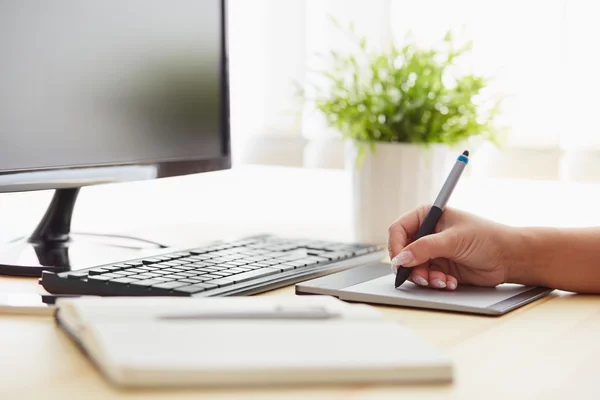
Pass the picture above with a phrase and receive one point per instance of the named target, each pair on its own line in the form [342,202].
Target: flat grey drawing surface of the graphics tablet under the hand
[469,296]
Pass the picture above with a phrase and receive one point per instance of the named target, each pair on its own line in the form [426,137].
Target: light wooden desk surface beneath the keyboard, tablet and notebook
[547,349]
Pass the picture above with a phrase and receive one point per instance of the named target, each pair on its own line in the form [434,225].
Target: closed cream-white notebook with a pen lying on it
[143,342]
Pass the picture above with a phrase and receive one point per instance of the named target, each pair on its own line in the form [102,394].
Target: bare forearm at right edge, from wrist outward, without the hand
[567,259]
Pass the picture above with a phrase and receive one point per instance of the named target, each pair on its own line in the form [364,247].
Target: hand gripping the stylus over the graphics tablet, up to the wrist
[463,249]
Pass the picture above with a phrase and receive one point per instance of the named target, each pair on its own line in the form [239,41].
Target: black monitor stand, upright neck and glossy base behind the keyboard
[52,246]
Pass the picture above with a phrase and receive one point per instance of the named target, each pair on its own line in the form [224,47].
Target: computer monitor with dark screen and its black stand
[94,92]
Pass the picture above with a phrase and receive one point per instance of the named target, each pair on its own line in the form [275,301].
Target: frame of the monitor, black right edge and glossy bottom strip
[93,174]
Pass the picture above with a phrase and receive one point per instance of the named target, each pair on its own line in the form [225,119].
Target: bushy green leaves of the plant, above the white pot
[404,94]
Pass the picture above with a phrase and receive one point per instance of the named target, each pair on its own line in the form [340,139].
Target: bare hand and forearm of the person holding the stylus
[469,250]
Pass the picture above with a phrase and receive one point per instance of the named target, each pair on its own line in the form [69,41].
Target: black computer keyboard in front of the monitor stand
[247,266]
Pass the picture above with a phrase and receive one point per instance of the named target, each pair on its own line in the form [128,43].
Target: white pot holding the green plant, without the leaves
[395,179]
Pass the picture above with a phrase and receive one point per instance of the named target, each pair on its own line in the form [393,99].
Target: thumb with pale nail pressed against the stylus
[439,245]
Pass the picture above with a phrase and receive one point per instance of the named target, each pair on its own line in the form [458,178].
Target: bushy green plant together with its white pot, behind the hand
[401,109]
